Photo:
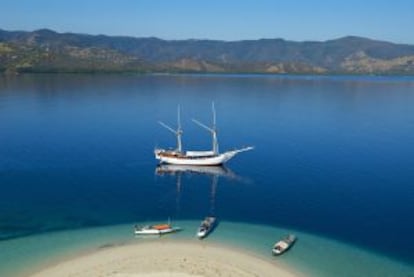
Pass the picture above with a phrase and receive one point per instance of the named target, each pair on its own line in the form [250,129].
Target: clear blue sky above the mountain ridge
[299,20]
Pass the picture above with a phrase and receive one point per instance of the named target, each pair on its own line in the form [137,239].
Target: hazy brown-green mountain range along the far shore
[48,51]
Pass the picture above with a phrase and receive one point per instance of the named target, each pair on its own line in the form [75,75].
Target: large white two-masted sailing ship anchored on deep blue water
[199,158]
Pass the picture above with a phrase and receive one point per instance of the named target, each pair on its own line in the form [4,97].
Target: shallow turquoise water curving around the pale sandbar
[311,255]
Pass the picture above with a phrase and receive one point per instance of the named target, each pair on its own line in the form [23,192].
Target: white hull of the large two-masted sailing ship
[197,160]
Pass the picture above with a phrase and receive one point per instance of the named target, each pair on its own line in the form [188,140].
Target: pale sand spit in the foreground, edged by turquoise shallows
[167,259]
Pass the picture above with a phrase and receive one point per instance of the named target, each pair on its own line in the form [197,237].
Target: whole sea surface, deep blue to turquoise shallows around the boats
[333,163]
